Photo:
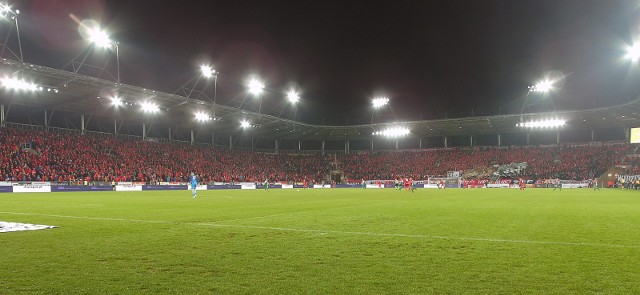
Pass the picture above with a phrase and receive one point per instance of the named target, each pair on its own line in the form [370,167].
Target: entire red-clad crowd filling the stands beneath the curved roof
[49,156]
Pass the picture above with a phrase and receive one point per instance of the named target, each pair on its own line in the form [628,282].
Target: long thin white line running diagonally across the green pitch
[319,231]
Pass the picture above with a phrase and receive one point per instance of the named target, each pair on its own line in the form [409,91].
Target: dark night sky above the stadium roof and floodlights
[457,57]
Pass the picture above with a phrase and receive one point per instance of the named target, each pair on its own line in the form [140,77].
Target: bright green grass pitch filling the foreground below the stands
[349,241]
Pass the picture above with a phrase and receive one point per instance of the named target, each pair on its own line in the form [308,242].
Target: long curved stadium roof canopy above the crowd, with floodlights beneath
[83,94]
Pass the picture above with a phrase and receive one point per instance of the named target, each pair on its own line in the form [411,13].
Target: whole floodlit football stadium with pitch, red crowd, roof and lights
[107,187]
